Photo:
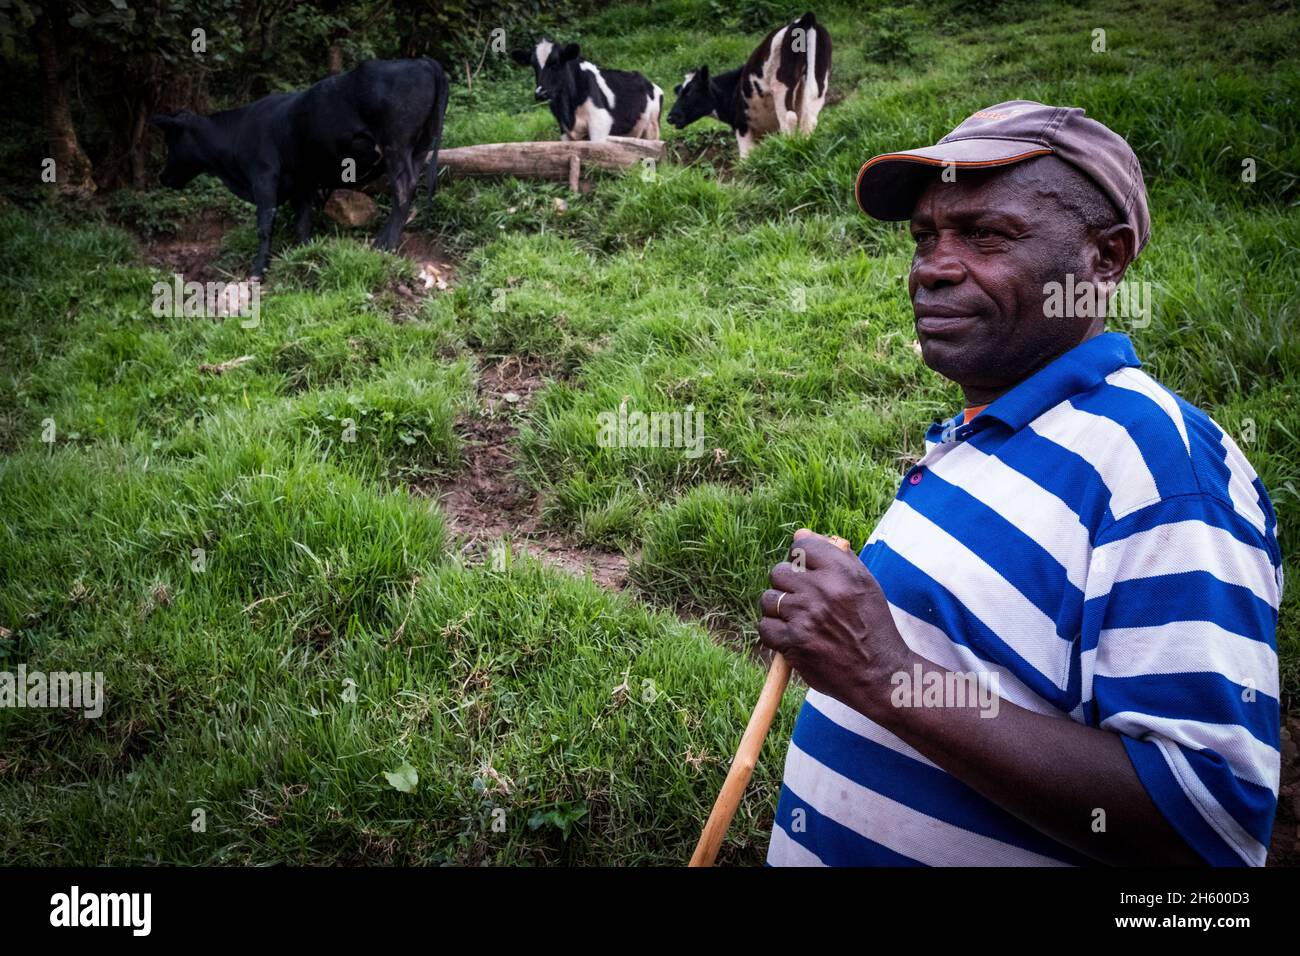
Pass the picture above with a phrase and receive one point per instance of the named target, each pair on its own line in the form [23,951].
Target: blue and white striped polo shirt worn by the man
[1107,551]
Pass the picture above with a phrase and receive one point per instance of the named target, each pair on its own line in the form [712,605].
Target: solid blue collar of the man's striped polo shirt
[1078,370]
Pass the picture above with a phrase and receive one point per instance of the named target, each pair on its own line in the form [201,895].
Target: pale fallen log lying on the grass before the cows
[549,161]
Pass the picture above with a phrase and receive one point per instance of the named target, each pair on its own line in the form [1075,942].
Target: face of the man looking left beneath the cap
[986,246]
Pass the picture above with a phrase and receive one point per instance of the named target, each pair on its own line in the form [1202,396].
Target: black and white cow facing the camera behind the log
[592,103]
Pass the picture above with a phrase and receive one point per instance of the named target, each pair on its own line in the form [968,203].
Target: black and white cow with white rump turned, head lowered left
[782,86]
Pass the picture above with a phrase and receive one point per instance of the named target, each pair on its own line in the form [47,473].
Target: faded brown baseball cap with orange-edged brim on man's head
[890,185]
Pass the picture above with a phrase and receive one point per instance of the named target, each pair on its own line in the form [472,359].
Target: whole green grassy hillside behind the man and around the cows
[522,689]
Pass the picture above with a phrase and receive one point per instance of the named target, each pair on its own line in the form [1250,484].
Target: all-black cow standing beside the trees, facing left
[383,116]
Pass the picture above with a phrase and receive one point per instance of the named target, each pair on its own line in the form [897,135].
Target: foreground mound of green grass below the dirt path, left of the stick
[229,689]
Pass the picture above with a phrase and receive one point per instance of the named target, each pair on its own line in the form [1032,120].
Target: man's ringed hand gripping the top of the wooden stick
[830,620]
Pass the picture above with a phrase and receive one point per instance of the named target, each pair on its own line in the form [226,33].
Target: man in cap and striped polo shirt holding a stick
[1059,644]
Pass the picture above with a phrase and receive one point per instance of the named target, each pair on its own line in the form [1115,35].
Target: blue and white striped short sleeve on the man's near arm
[1180,651]
